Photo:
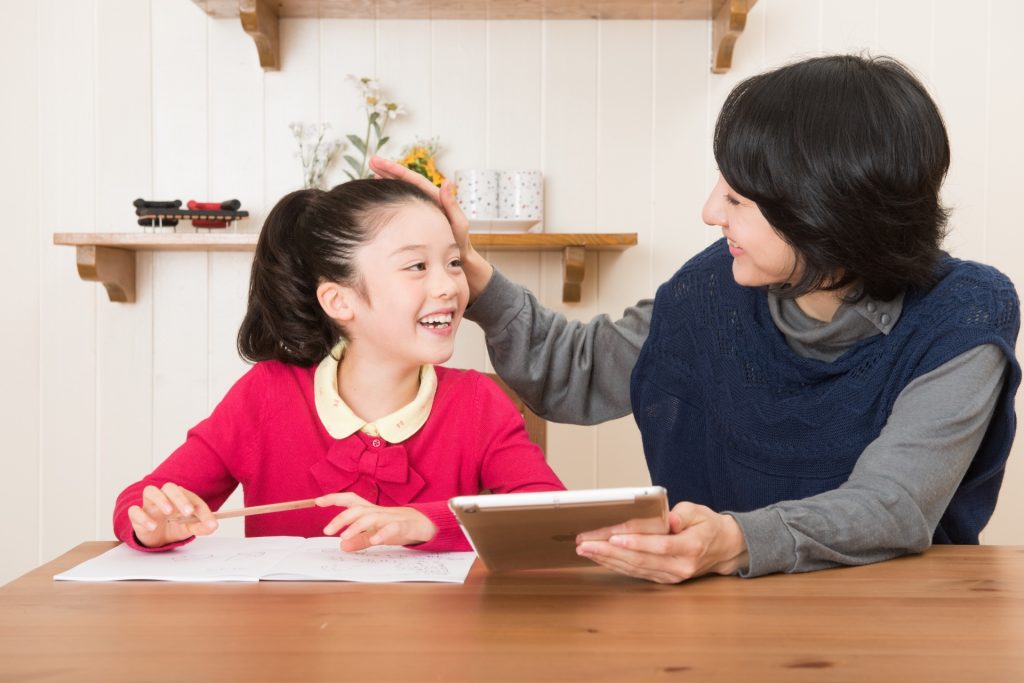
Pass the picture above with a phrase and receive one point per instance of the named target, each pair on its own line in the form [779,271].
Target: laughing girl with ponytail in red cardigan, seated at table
[356,296]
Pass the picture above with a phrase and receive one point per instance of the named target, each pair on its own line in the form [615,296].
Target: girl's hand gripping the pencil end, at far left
[150,520]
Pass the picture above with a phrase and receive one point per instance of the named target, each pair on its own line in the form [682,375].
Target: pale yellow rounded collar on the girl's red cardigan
[342,422]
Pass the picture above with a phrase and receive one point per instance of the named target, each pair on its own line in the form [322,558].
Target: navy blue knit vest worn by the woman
[734,419]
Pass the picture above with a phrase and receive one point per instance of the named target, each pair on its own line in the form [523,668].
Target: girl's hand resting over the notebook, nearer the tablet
[371,525]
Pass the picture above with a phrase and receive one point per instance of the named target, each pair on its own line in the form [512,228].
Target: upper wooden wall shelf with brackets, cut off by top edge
[260,18]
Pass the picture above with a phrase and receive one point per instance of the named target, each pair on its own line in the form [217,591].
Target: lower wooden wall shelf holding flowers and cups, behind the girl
[109,258]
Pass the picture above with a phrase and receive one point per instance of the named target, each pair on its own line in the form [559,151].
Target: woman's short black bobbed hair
[845,157]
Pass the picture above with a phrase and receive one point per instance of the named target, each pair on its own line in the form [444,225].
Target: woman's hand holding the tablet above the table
[700,541]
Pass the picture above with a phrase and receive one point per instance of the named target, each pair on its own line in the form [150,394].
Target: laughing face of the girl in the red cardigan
[415,290]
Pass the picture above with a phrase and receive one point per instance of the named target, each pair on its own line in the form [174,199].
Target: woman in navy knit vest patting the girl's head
[823,387]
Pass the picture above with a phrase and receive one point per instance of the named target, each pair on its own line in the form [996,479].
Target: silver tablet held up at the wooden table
[539,530]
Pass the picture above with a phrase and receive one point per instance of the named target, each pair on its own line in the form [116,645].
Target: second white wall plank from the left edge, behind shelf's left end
[68,382]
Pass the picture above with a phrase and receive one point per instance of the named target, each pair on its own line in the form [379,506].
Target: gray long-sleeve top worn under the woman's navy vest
[579,373]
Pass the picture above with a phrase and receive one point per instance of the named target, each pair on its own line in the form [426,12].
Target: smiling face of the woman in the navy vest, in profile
[760,255]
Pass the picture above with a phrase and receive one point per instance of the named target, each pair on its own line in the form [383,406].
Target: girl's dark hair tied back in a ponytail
[311,238]
